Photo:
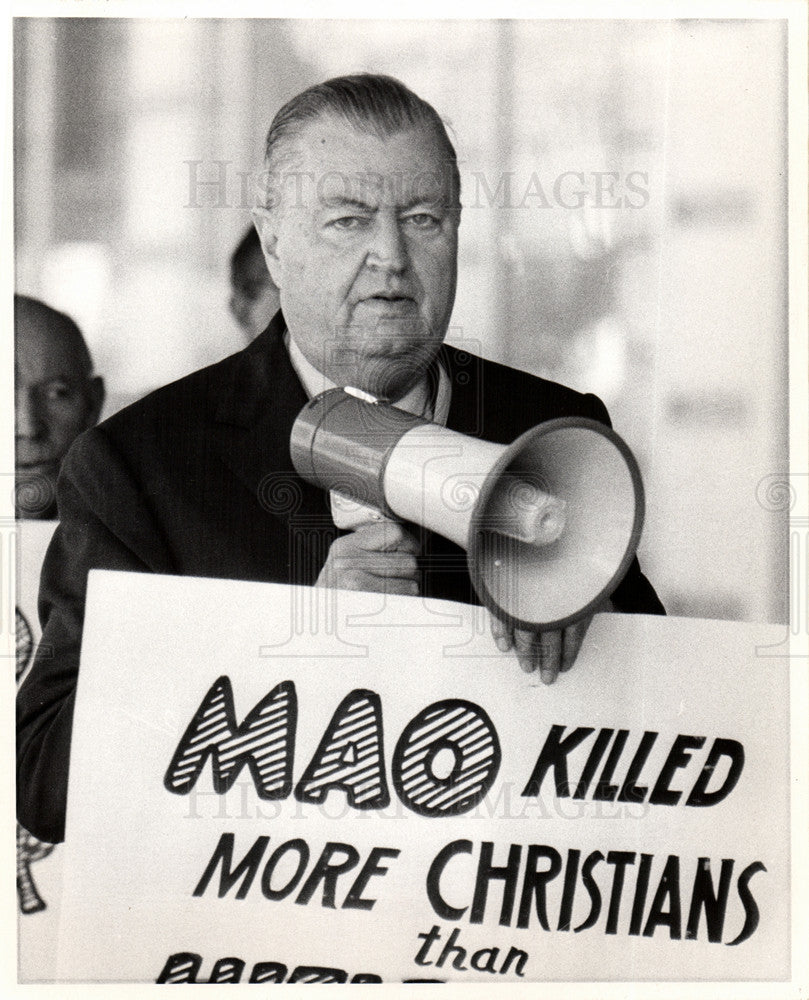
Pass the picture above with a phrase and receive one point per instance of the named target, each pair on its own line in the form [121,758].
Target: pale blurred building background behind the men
[624,228]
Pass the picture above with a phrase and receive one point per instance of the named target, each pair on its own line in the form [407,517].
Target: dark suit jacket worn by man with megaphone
[196,479]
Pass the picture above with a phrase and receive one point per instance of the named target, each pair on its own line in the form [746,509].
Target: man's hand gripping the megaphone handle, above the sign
[380,556]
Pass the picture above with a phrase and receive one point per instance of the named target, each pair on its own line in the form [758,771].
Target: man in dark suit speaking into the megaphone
[359,231]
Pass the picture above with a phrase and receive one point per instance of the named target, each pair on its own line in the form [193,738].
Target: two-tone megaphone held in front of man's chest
[550,523]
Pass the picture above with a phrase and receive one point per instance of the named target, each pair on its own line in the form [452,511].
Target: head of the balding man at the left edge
[56,398]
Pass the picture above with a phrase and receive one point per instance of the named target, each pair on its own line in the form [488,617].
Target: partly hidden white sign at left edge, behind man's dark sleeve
[39,864]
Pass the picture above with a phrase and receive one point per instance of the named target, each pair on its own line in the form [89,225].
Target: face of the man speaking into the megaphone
[363,246]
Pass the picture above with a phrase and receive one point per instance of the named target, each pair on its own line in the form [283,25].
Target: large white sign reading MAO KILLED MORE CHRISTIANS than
[271,784]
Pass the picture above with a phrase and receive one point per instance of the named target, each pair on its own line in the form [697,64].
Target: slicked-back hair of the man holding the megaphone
[369,102]
